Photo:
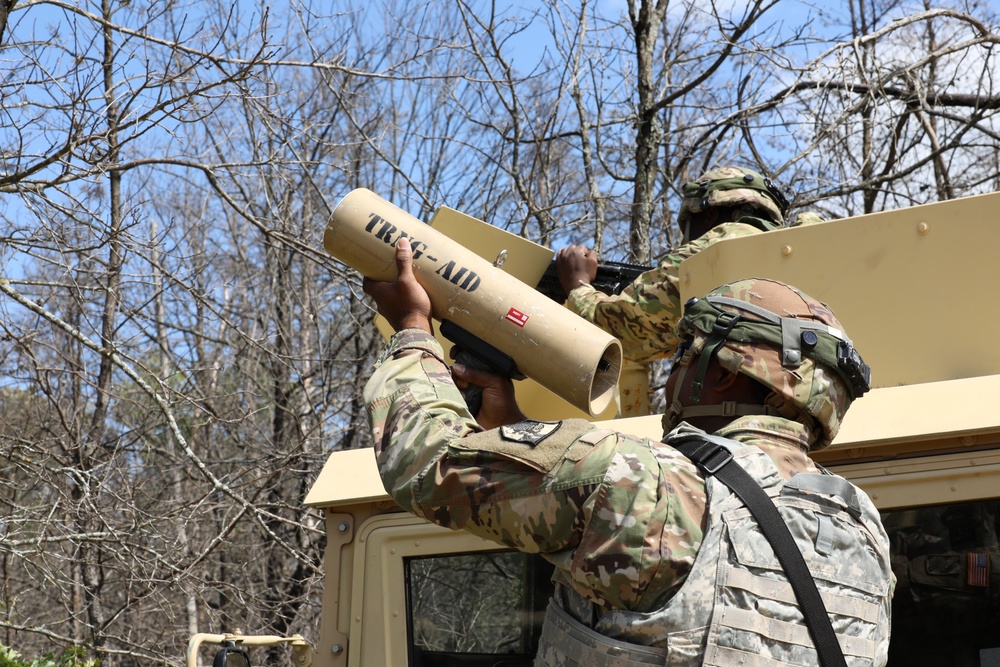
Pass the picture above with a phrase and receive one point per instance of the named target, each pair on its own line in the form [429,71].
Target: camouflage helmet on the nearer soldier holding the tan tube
[783,339]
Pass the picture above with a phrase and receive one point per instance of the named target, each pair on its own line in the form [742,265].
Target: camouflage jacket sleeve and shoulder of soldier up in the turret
[644,316]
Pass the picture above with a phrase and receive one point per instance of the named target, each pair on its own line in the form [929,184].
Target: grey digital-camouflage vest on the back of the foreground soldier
[736,607]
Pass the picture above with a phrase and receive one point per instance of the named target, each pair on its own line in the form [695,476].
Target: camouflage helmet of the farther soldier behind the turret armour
[733,186]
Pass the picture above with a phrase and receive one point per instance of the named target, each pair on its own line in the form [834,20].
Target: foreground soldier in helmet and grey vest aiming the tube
[657,560]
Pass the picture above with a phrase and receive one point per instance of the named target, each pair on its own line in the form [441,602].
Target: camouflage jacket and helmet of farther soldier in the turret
[644,315]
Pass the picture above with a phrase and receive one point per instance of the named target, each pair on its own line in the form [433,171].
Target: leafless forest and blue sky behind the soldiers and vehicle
[178,355]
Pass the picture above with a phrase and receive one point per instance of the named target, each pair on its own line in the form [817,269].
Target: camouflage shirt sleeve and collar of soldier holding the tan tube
[621,518]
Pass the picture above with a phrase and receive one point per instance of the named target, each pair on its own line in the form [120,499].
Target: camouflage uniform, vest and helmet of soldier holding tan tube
[636,535]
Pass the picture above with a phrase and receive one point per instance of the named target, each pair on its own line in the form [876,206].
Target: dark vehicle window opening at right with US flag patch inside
[946,609]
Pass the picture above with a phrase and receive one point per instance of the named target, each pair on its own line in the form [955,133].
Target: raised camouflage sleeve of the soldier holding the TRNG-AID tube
[436,462]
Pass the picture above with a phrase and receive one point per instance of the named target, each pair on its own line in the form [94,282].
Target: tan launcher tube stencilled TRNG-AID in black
[558,349]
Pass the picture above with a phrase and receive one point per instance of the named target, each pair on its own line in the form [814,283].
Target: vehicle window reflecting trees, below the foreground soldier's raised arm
[472,609]
